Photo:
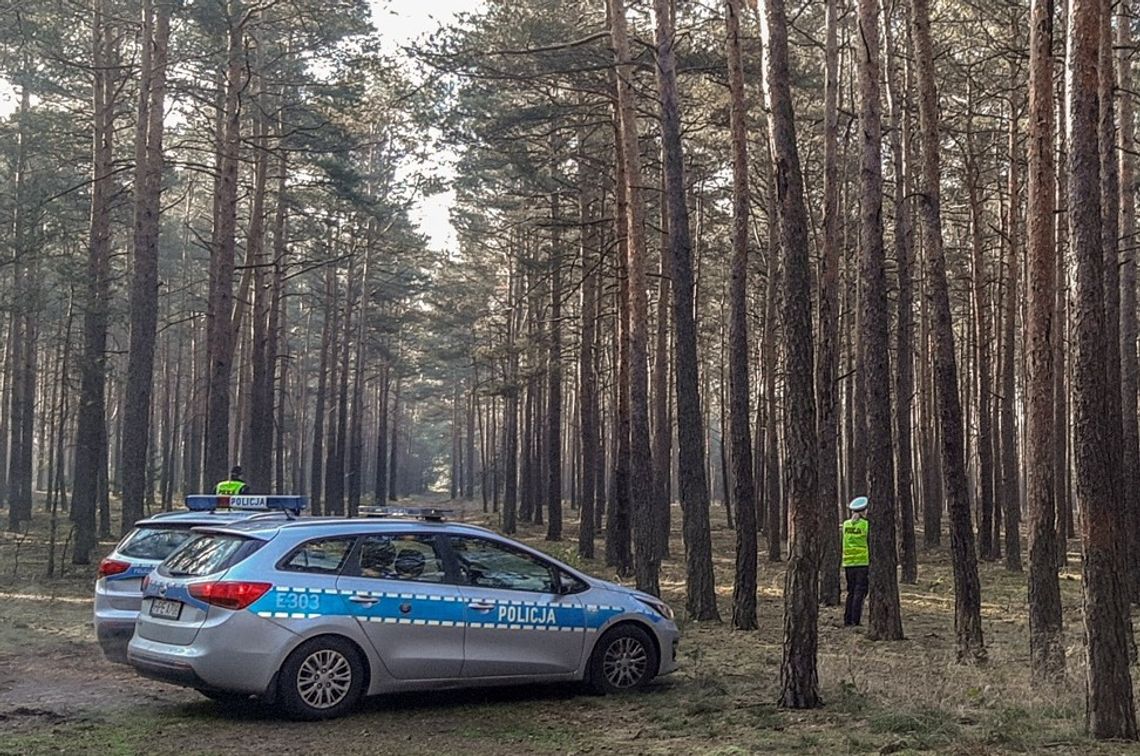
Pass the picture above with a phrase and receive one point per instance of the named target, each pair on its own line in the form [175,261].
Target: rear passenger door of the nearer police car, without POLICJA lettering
[408,605]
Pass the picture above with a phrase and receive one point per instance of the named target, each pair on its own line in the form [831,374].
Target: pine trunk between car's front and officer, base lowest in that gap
[800,686]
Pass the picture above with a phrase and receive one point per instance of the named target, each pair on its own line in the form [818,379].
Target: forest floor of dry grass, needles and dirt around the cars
[58,694]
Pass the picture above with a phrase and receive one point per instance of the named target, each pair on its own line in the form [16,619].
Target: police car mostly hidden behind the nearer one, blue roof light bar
[119,588]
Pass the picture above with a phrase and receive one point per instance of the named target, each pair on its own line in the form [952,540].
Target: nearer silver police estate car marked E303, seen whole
[315,614]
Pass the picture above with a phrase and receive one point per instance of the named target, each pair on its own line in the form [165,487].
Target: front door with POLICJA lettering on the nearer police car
[519,623]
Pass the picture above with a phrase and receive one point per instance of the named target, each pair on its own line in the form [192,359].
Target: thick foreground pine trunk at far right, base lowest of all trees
[1109,690]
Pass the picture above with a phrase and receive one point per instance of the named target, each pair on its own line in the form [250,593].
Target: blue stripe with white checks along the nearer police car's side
[435,611]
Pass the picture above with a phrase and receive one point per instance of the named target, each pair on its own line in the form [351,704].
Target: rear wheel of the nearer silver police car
[322,680]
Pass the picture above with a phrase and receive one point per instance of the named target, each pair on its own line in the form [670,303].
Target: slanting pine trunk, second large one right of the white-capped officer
[967,590]
